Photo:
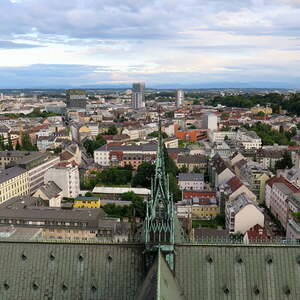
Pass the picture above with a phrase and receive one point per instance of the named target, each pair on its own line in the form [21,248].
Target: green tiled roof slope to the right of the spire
[238,272]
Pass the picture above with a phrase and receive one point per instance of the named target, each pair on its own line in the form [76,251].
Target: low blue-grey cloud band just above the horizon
[47,76]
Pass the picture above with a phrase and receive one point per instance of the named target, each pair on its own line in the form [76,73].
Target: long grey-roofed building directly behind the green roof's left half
[55,222]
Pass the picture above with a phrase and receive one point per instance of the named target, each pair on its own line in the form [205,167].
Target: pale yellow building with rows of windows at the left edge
[13,182]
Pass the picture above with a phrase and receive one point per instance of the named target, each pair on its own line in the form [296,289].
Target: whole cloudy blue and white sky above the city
[188,43]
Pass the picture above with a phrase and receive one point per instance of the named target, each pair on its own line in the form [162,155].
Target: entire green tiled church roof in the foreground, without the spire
[45,270]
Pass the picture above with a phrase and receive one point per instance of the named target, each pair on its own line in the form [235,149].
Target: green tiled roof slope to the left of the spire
[69,271]
